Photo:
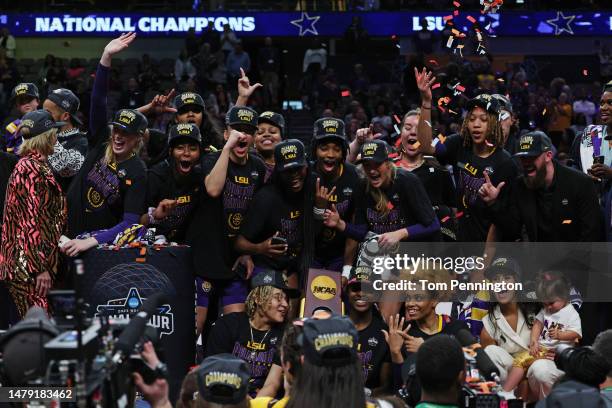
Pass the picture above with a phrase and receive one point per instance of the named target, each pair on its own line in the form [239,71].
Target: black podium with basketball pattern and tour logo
[115,284]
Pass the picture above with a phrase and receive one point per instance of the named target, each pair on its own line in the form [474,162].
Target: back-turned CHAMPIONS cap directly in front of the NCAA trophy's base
[330,342]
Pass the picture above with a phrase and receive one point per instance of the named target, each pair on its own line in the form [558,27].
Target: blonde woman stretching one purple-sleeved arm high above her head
[107,197]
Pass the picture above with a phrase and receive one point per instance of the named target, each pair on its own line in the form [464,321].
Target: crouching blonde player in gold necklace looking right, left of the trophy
[255,335]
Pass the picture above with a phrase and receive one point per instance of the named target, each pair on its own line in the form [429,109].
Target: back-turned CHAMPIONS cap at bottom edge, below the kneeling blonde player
[223,379]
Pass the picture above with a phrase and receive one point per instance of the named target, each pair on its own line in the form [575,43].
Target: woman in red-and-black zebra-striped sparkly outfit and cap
[34,216]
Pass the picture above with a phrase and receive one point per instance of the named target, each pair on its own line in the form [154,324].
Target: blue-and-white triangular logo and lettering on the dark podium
[124,308]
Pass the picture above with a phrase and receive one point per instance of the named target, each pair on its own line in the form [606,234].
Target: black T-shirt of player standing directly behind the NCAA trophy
[330,243]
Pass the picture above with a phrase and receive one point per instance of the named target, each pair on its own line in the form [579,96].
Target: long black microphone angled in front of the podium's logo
[135,329]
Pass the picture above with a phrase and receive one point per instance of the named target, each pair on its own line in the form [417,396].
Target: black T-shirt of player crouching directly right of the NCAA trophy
[373,352]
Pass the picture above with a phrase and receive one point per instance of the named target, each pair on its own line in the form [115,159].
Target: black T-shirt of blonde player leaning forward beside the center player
[408,204]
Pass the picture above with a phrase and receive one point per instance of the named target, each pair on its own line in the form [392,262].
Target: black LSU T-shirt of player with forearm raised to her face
[217,221]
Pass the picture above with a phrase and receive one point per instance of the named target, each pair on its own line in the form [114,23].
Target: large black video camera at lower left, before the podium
[95,357]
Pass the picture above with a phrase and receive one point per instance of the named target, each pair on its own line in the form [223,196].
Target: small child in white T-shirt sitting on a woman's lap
[557,323]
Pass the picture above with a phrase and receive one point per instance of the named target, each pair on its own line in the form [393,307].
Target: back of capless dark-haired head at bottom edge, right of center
[440,368]
